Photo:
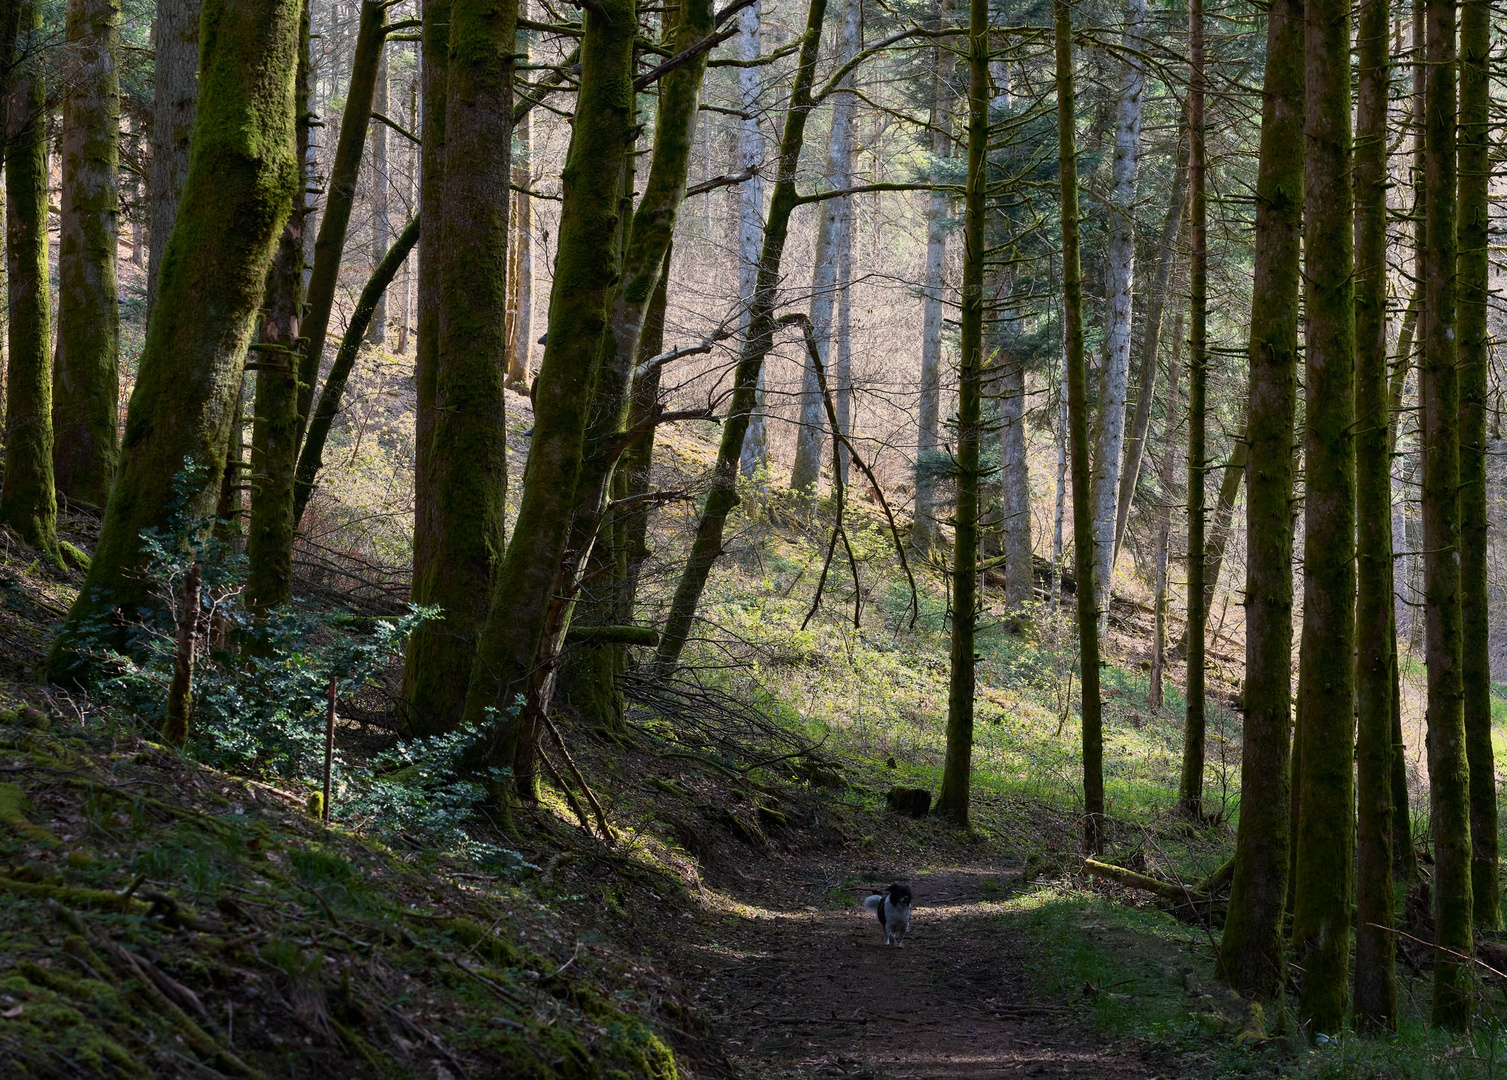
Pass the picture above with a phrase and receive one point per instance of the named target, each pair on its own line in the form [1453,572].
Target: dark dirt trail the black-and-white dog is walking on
[805,989]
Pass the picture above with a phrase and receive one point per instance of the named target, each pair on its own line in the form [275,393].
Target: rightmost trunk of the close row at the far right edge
[1473,297]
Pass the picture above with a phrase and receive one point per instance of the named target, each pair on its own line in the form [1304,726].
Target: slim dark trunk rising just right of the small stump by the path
[959,763]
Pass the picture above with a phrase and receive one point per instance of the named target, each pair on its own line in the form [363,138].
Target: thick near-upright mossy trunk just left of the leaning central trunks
[468,454]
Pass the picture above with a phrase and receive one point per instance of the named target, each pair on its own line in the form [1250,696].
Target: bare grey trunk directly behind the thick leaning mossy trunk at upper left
[176,88]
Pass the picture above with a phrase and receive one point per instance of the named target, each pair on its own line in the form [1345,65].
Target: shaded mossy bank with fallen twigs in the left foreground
[160,920]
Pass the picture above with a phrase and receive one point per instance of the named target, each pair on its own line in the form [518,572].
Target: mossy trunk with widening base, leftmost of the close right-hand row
[1252,948]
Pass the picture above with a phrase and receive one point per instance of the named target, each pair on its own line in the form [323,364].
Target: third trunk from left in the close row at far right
[1375,971]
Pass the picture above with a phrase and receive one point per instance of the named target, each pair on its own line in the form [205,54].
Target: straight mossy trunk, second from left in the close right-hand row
[1327,680]
